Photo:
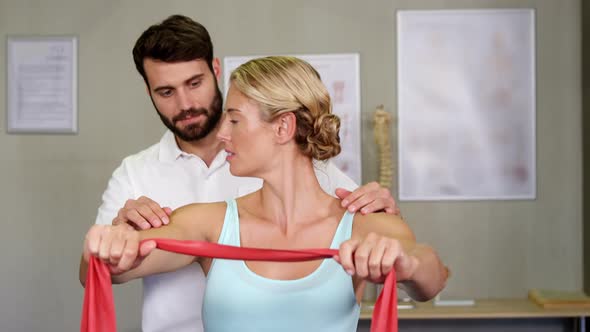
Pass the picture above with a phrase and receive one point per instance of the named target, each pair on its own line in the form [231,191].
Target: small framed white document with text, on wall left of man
[42,85]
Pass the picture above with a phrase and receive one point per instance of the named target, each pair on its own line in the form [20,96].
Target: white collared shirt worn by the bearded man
[173,178]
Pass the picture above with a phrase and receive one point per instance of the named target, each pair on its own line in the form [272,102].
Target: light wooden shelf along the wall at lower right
[508,308]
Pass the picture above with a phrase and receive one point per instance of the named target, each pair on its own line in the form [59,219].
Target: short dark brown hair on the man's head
[177,39]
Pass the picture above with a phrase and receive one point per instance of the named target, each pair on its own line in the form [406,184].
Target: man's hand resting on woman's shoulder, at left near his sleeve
[143,213]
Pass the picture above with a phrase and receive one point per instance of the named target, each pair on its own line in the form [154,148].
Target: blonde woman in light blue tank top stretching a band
[278,118]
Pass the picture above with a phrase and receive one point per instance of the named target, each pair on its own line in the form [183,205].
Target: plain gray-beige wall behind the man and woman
[50,185]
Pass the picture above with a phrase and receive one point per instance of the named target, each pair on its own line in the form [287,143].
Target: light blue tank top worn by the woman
[237,299]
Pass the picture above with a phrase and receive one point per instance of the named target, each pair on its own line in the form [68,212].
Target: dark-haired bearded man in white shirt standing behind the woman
[175,59]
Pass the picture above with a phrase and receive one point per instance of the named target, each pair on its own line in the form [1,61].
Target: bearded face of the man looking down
[186,96]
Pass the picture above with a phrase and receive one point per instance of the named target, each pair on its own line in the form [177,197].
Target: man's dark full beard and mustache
[195,131]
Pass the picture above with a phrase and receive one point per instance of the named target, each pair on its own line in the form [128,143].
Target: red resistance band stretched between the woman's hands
[98,313]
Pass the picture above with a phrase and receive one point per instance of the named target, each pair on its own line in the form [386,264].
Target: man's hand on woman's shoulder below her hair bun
[368,199]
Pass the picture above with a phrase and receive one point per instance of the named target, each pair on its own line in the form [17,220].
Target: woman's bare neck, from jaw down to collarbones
[291,192]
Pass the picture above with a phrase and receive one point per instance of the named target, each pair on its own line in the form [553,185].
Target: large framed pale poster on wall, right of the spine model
[466,94]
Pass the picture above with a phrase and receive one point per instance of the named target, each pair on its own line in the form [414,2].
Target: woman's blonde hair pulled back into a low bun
[281,84]
